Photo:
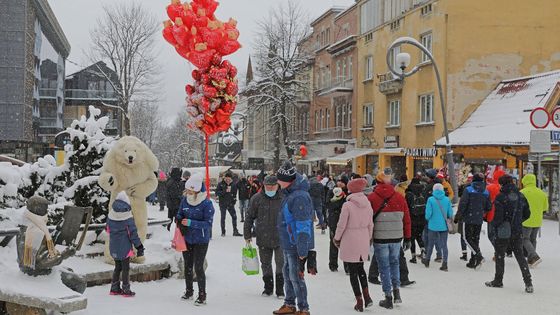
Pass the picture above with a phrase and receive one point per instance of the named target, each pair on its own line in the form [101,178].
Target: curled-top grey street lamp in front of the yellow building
[403,59]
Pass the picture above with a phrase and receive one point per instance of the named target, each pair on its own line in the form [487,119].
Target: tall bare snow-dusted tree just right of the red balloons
[280,62]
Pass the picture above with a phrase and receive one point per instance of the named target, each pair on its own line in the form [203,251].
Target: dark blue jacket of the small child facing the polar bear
[122,234]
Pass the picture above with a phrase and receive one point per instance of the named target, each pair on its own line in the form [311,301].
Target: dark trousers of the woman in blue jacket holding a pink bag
[195,256]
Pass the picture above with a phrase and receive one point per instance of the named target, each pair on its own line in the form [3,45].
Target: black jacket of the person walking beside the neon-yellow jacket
[511,206]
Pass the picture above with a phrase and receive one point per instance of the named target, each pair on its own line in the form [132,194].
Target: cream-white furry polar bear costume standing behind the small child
[130,166]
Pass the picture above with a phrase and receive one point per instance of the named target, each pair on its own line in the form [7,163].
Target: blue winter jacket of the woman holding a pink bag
[201,218]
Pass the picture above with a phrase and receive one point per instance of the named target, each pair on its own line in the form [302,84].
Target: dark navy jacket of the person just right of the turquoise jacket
[474,204]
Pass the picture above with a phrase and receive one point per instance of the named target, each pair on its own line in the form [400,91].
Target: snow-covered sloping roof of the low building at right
[503,118]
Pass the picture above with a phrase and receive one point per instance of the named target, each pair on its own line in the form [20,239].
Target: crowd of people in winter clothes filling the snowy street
[368,218]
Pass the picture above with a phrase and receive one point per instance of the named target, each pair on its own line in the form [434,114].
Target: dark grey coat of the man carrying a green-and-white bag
[264,211]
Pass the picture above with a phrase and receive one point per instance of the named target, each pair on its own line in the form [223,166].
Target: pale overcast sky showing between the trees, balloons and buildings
[77,17]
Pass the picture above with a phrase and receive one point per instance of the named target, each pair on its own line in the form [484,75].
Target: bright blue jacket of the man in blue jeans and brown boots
[295,221]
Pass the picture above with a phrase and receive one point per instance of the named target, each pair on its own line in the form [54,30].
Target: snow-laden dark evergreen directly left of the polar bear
[84,159]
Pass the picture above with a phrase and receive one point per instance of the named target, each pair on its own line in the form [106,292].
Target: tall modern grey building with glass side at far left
[33,51]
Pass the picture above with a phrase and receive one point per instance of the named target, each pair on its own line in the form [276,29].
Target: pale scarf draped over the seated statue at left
[36,231]
